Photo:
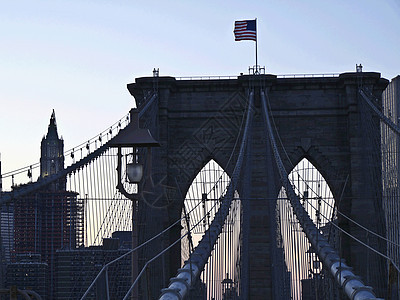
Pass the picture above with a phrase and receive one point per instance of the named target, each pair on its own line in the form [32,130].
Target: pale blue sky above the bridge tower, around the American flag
[77,56]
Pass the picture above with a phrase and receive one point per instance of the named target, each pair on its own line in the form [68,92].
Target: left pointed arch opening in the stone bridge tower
[202,201]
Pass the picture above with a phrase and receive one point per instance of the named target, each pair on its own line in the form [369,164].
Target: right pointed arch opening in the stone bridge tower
[317,199]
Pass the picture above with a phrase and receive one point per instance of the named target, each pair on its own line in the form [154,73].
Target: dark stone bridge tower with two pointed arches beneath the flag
[317,118]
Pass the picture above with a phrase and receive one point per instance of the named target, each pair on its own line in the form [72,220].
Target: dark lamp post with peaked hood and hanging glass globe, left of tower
[133,137]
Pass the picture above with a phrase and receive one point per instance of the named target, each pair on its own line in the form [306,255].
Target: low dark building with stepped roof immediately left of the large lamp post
[76,269]
